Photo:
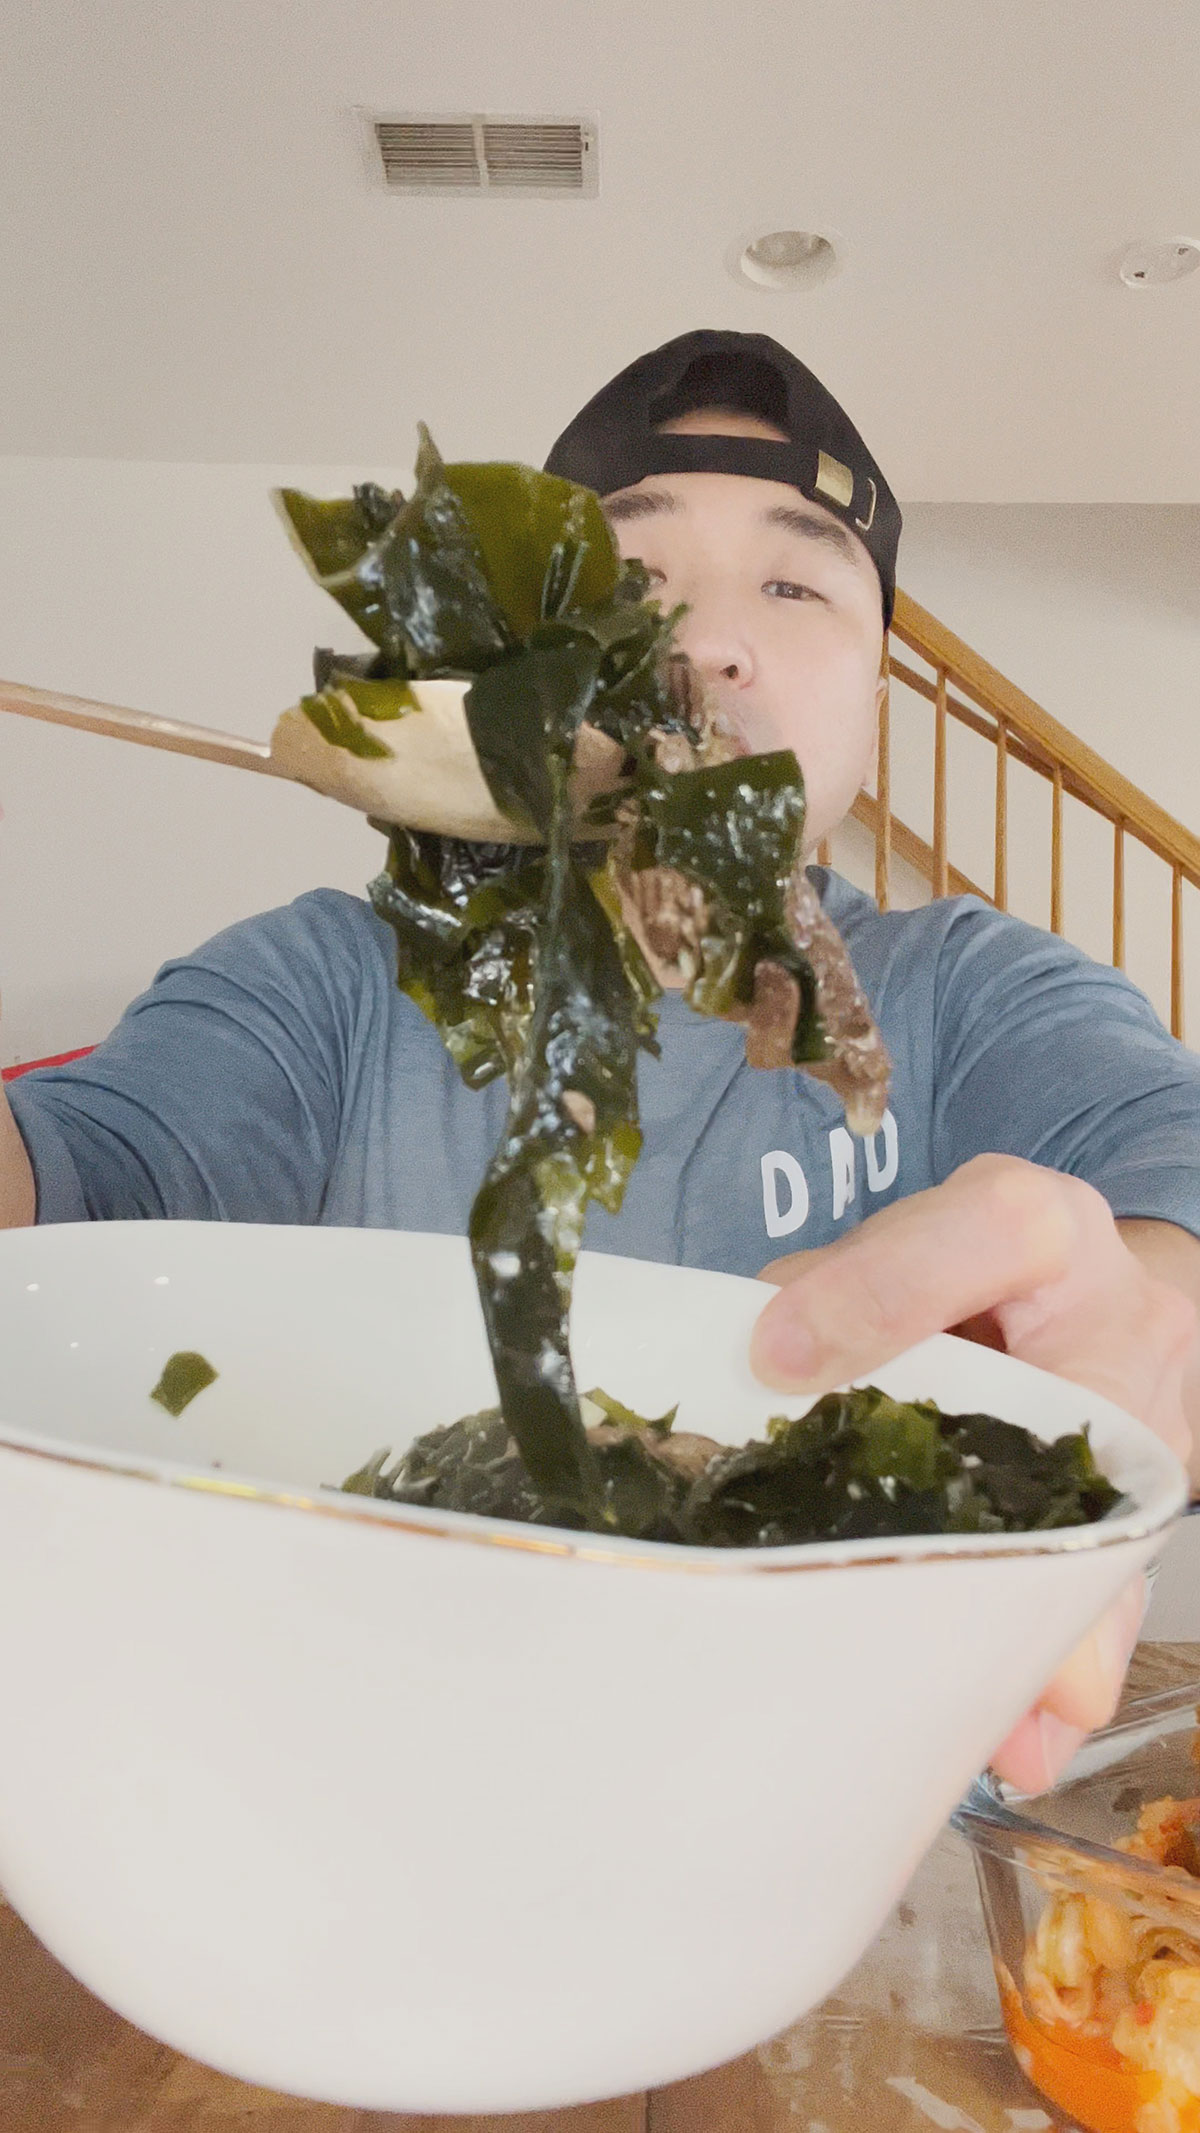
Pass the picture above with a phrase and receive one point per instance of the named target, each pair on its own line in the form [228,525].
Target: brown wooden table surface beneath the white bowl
[909,2042]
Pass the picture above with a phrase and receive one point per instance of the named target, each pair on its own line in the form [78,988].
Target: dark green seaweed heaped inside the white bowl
[858,1466]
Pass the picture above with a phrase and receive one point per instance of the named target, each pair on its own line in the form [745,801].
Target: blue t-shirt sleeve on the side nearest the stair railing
[1048,1055]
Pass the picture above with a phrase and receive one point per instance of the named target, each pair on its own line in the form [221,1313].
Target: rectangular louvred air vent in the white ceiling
[538,159]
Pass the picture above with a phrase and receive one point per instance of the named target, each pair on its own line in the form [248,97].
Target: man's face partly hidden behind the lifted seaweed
[783,622]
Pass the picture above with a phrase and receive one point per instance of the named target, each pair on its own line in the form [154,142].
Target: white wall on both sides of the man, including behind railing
[174,590]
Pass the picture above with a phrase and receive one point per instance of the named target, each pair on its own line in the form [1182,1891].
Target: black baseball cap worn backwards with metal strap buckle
[615,443]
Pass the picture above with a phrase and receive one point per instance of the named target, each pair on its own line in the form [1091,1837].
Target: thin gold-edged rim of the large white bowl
[1163,1492]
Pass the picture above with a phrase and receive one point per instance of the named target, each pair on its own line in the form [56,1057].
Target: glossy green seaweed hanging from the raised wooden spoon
[519,955]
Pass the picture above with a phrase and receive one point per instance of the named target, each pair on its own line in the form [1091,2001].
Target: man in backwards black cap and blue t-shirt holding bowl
[1039,1176]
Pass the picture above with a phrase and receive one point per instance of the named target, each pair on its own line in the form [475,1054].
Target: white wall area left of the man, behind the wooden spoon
[172,590]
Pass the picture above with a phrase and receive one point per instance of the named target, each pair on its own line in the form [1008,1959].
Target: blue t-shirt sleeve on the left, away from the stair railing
[221,1093]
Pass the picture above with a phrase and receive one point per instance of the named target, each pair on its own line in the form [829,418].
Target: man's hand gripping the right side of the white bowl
[1028,1262]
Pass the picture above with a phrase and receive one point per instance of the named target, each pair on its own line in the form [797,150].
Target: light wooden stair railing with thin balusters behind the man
[964,688]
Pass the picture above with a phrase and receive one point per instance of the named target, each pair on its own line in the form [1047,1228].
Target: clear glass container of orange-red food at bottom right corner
[1092,1902]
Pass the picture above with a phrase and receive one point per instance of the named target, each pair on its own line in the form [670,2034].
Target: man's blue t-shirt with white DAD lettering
[280,1076]
